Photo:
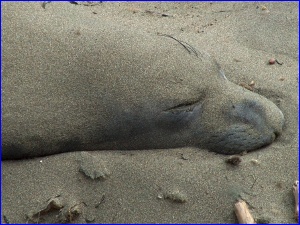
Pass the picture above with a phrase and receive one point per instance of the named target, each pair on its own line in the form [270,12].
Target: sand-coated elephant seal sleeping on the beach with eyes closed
[90,84]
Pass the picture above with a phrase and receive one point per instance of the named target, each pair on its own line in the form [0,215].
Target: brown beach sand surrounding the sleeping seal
[185,185]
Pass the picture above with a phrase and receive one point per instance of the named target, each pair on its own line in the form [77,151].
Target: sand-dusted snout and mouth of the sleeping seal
[250,124]
